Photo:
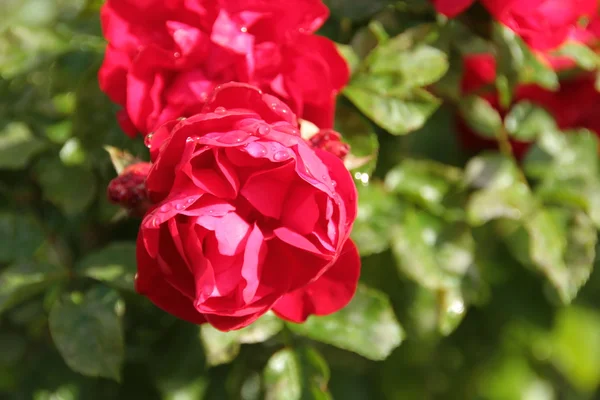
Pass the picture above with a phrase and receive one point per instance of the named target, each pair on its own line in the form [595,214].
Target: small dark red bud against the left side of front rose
[128,190]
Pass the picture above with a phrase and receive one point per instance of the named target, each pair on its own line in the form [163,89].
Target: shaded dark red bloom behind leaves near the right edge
[574,105]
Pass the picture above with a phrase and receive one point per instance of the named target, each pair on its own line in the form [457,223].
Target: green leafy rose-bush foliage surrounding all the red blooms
[473,265]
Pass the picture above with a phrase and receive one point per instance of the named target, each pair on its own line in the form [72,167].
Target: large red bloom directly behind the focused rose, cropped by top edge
[166,56]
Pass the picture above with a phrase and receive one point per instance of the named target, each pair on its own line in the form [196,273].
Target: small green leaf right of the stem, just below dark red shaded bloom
[526,120]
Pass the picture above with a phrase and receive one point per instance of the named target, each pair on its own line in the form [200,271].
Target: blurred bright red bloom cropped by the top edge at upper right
[543,24]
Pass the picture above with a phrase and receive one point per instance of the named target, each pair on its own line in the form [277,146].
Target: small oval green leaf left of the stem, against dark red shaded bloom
[479,114]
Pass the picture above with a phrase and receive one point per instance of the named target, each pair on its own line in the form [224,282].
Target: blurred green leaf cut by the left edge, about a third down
[18,146]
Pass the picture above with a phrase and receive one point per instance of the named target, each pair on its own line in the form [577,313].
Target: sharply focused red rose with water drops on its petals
[247,217]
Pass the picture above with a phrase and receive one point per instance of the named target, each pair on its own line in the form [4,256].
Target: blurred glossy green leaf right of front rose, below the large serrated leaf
[429,184]
